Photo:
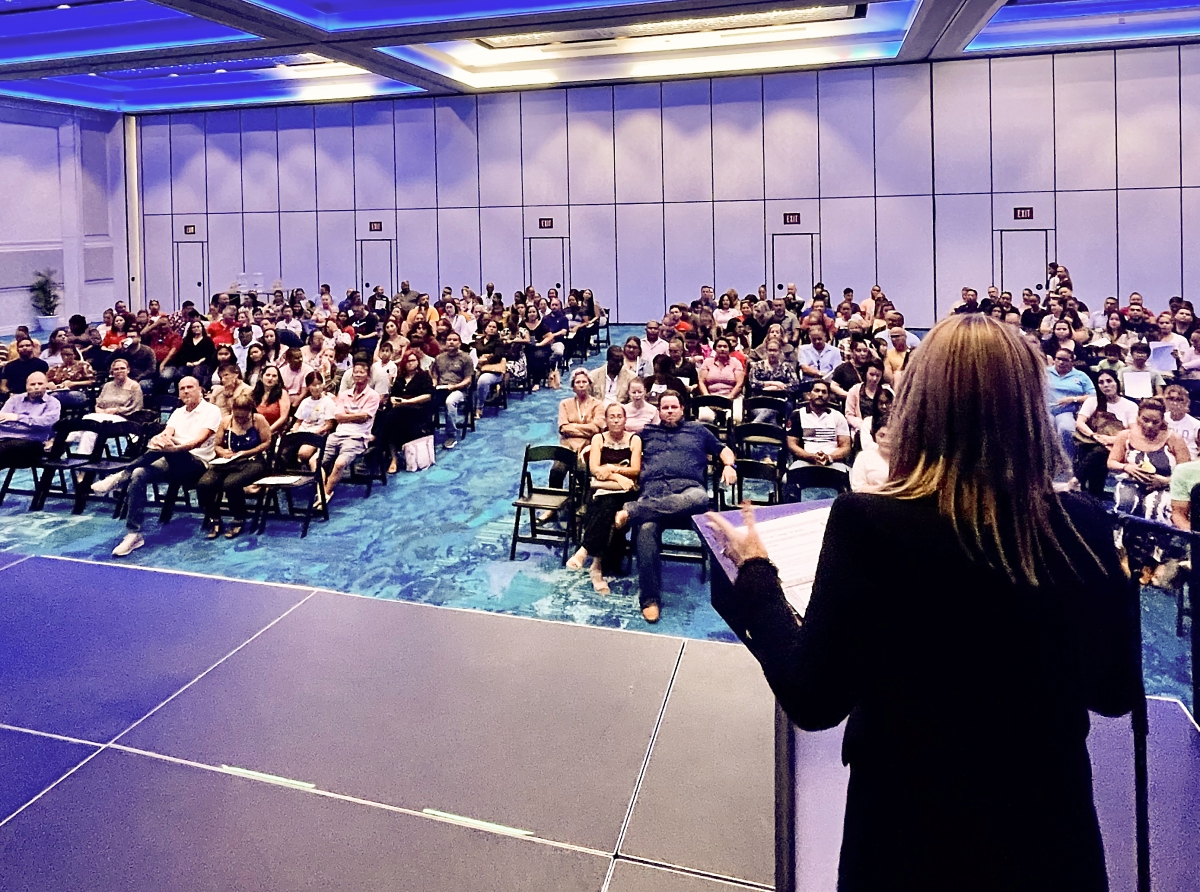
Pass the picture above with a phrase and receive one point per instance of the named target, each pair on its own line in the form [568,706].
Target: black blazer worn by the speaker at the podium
[968,696]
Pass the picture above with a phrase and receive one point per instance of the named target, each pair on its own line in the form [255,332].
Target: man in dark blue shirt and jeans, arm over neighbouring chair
[675,459]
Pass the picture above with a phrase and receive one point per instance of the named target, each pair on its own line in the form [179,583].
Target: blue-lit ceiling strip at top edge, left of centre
[352,15]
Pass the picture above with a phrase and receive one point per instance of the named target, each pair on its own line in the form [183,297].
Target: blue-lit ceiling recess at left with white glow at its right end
[271,80]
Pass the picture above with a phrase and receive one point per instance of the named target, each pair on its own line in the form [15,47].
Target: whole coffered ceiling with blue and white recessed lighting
[137,56]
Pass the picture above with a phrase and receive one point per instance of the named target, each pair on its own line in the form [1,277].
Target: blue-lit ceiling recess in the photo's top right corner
[1077,22]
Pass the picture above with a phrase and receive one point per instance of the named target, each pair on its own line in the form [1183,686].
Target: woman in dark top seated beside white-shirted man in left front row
[243,440]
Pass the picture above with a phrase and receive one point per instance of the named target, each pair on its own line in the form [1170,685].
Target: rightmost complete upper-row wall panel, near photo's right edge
[1148,118]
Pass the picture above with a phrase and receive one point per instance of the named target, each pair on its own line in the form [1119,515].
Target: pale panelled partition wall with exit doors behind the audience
[922,178]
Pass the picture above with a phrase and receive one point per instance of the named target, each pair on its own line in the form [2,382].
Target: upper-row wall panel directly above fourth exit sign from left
[790,135]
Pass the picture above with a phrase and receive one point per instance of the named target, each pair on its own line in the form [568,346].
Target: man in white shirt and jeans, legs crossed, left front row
[181,454]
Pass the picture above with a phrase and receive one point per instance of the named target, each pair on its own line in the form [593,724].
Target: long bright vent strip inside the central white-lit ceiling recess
[681,26]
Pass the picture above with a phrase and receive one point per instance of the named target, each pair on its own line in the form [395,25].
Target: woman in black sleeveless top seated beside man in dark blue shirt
[615,460]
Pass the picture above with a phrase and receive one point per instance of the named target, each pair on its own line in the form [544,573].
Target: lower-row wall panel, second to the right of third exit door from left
[640,264]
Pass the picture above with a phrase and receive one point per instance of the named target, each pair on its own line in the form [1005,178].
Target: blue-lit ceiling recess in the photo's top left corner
[41,32]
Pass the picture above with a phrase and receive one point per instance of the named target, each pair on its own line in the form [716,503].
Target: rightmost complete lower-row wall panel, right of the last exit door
[1150,244]
